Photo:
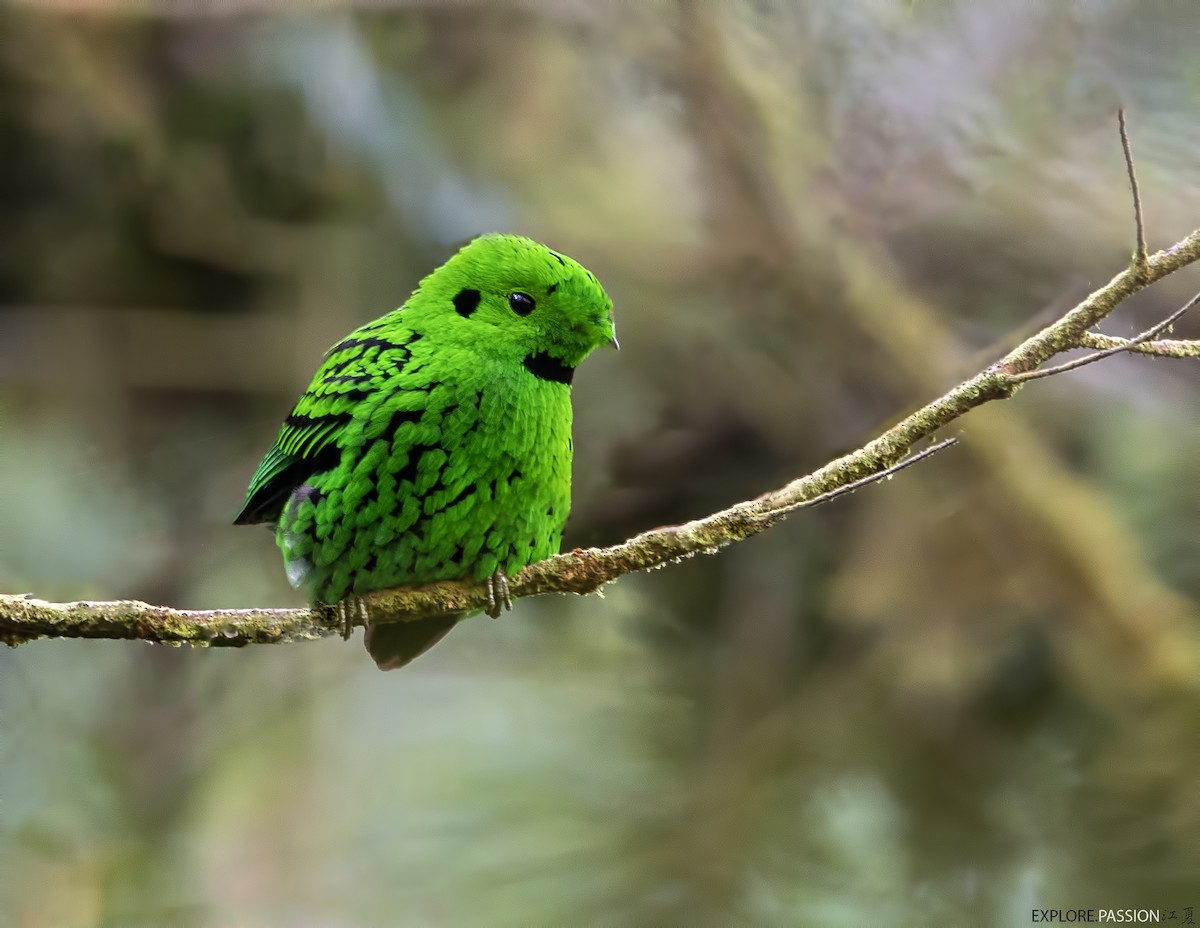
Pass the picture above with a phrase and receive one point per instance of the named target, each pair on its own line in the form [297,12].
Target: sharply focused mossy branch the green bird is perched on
[585,571]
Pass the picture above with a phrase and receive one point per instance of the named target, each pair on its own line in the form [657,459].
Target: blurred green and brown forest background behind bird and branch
[950,699]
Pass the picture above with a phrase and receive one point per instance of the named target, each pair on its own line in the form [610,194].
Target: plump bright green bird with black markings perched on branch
[435,444]
